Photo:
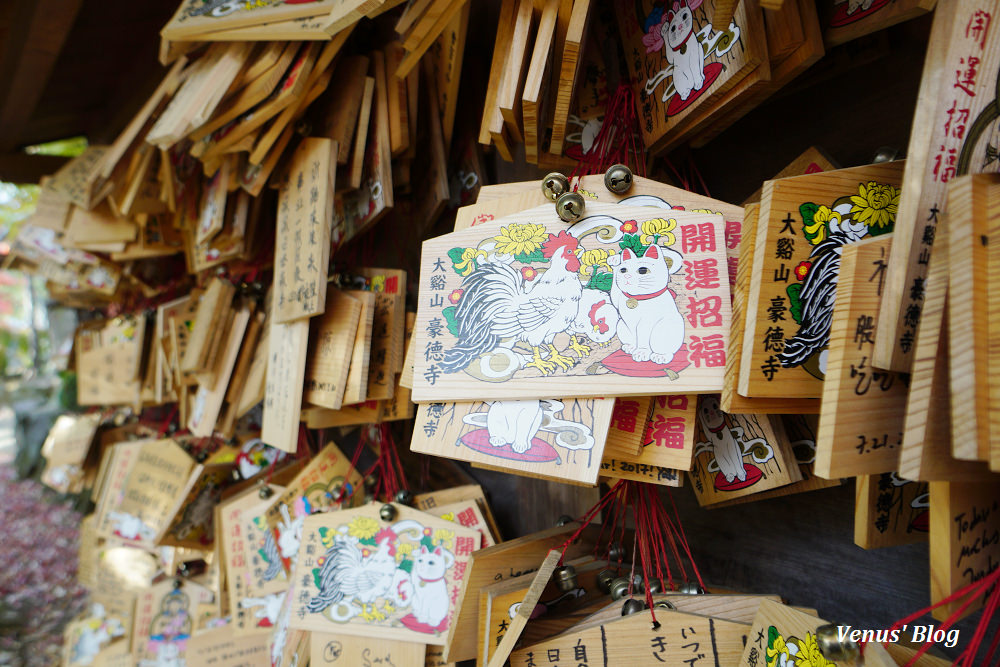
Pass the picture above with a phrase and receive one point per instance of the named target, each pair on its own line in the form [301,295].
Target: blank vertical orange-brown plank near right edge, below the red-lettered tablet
[968,209]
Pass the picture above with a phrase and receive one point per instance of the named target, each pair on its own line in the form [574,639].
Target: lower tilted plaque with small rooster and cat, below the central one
[416,563]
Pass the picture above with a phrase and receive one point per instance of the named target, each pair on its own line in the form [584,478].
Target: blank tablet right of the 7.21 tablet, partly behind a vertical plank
[926,453]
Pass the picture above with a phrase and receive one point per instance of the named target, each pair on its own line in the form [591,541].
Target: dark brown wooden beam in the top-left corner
[37,34]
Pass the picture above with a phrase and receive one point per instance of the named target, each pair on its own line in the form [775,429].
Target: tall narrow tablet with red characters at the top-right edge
[951,126]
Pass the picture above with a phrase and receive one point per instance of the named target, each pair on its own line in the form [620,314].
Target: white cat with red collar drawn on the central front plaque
[651,326]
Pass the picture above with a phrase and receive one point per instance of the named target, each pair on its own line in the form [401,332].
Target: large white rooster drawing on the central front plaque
[498,305]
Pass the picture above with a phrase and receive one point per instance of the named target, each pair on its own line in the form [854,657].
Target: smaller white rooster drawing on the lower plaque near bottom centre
[347,574]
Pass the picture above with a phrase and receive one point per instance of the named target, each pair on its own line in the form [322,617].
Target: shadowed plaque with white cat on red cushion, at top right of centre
[681,60]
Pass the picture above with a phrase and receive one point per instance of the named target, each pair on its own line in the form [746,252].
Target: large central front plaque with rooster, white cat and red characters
[534,281]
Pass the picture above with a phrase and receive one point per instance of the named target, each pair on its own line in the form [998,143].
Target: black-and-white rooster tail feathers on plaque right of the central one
[819,292]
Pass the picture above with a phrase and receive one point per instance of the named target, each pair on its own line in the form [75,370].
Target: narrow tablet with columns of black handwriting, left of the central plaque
[302,238]
